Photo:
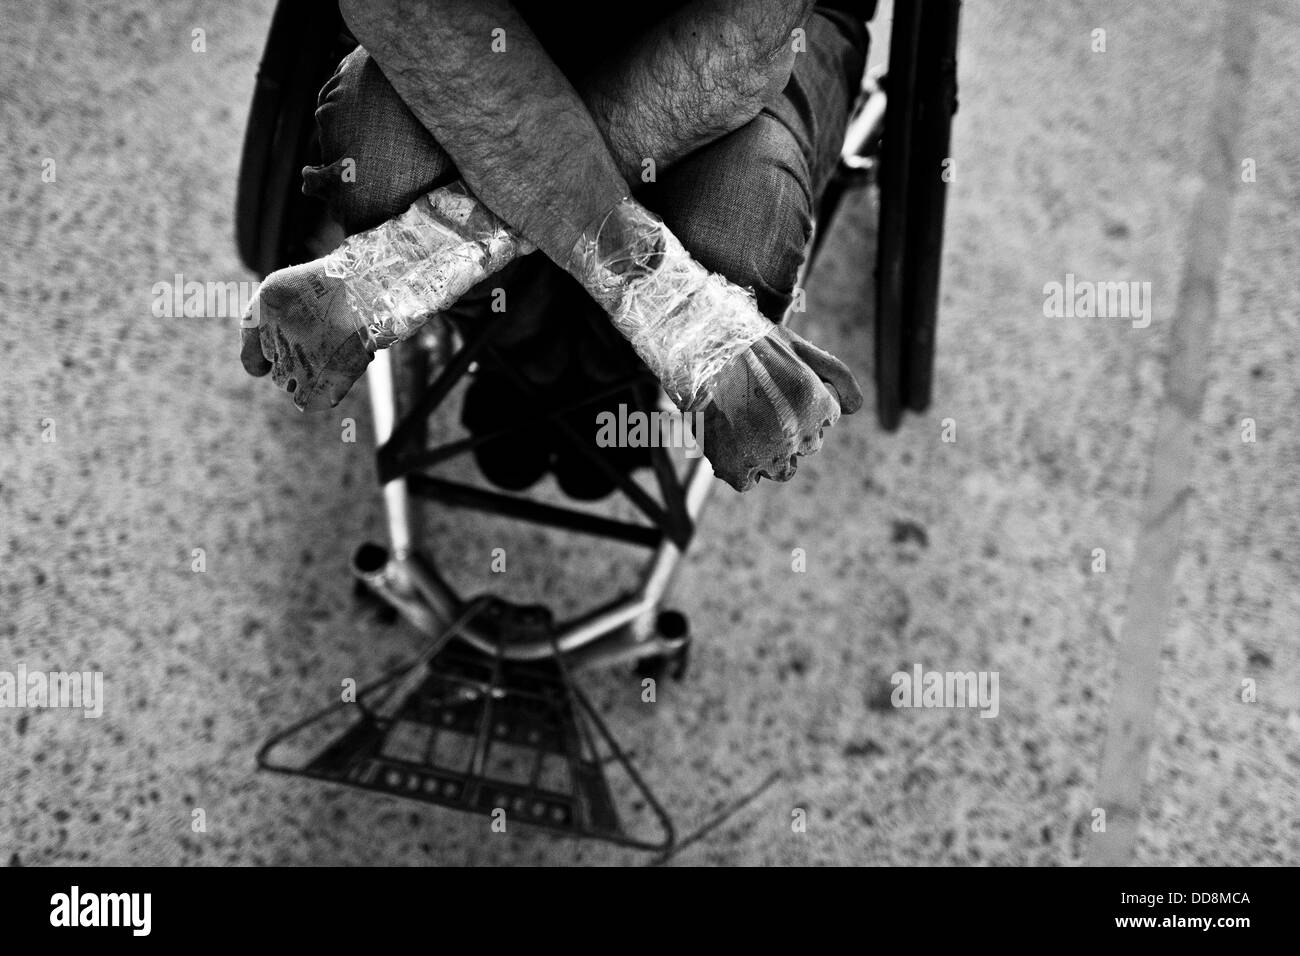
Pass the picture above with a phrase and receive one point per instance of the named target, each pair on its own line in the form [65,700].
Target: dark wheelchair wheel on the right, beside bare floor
[915,168]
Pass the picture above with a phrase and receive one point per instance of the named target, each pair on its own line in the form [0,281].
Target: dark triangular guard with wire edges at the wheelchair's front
[510,741]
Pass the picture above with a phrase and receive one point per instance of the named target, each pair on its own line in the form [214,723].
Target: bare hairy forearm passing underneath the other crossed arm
[701,73]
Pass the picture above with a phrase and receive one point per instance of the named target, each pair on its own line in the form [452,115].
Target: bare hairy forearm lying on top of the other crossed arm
[517,129]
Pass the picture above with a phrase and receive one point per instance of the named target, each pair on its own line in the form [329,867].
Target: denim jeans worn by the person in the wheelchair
[743,206]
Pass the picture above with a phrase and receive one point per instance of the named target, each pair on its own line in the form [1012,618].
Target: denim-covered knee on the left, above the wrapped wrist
[376,158]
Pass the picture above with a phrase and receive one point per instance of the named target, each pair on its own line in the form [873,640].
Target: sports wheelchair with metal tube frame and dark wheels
[499,677]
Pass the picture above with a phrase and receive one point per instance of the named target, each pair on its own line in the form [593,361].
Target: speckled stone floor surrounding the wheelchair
[968,555]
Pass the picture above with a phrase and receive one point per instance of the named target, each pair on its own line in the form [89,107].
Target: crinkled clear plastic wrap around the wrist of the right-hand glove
[684,322]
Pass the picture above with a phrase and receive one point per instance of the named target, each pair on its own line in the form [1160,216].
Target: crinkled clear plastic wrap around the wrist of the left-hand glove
[402,272]
